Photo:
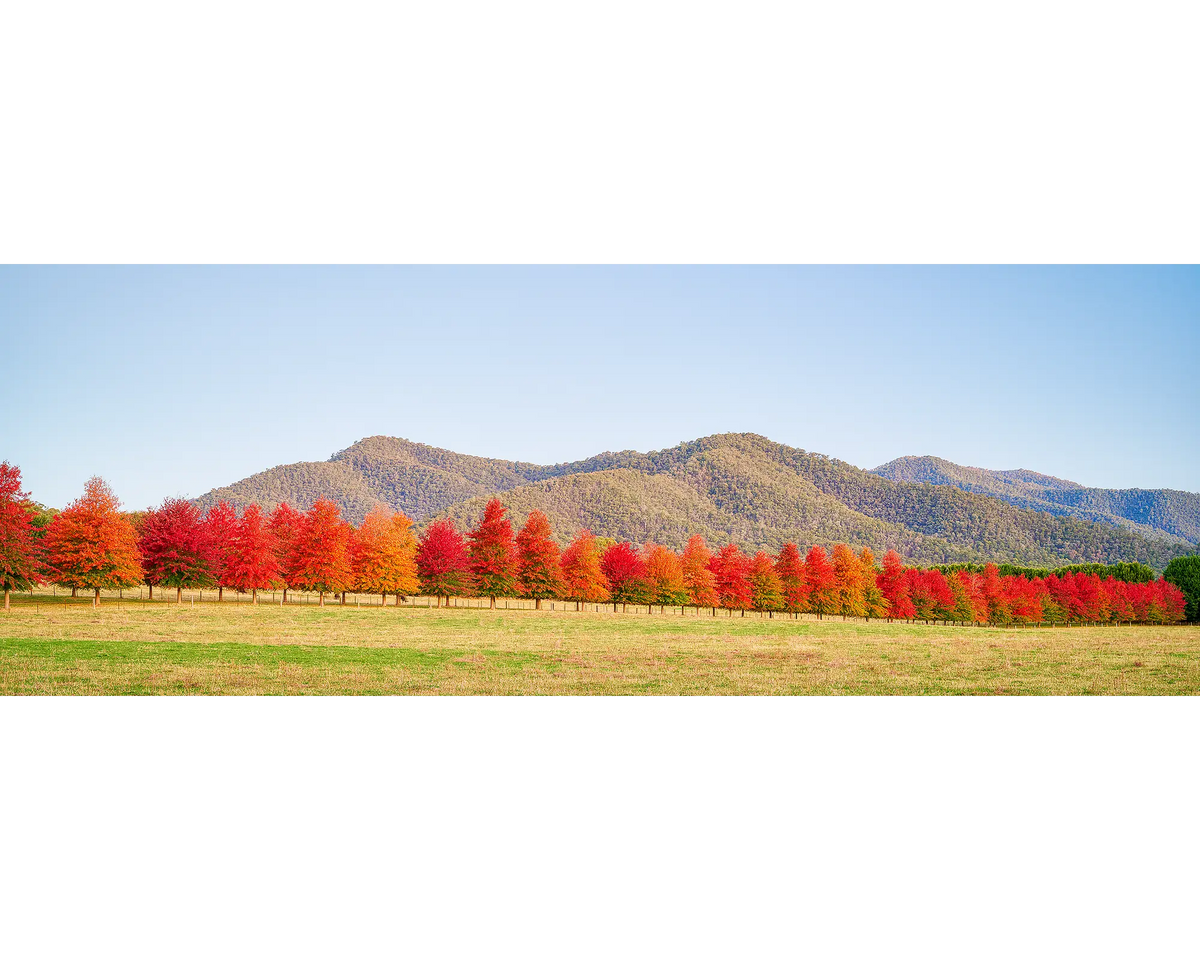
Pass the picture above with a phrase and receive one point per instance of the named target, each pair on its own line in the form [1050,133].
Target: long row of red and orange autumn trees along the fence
[93,545]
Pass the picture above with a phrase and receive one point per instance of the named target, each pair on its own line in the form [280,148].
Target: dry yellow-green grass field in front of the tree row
[57,647]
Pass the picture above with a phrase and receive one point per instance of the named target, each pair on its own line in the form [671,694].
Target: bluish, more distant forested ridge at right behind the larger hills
[1166,514]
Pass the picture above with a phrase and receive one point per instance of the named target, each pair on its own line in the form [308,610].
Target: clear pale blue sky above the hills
[171,380]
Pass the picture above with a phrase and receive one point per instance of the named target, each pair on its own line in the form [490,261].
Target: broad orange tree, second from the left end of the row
[92,544]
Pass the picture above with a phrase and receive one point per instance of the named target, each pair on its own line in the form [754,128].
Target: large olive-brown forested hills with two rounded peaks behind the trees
[734,488]
